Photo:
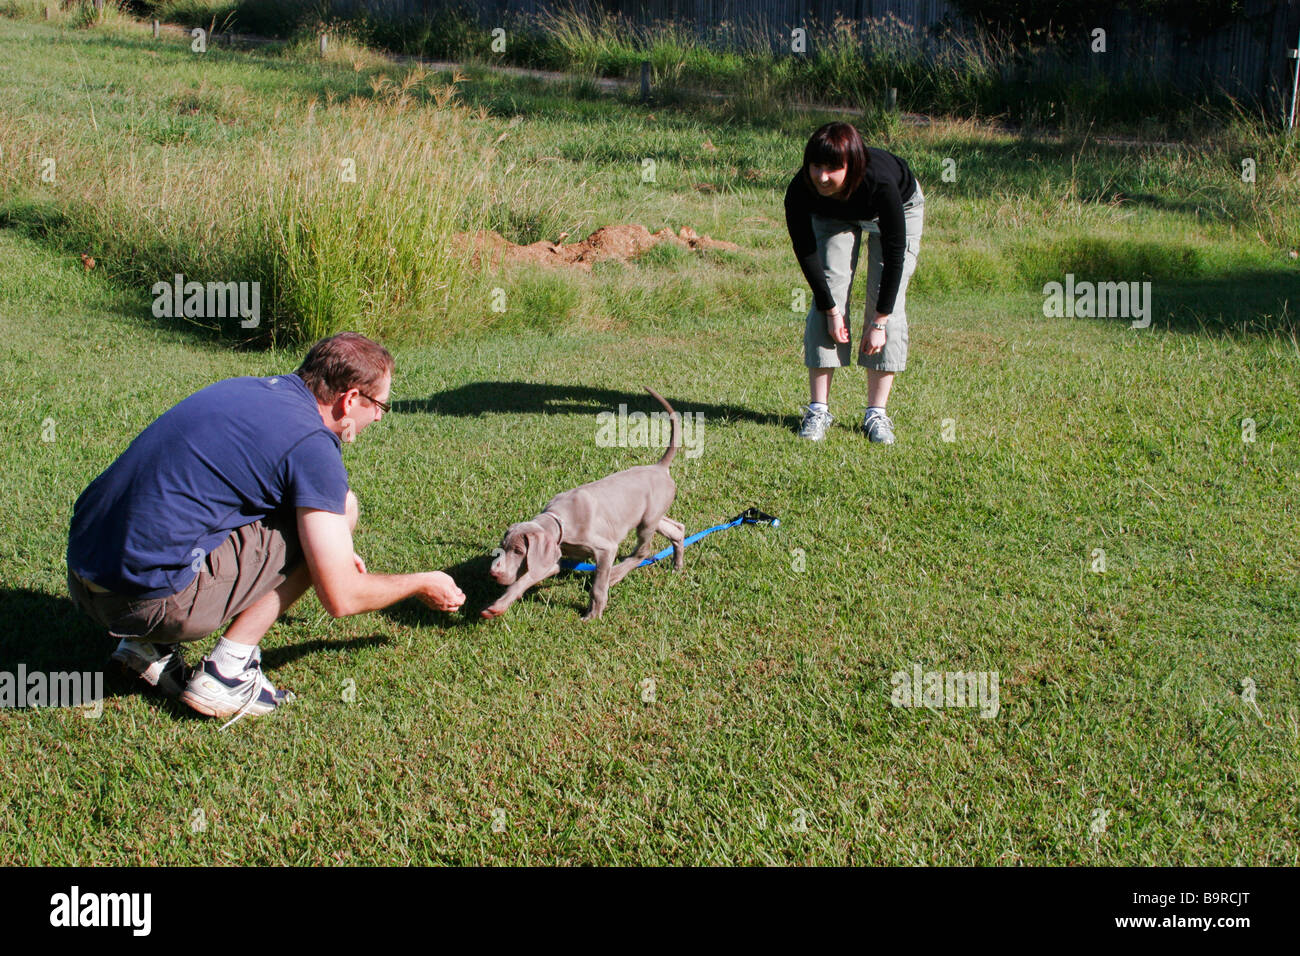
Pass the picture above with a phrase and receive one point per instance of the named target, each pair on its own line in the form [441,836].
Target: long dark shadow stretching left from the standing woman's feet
[543,399]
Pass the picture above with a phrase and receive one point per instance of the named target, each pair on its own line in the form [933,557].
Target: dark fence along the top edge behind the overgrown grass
[1246,59]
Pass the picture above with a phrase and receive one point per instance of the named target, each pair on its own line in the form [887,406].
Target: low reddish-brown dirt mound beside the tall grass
[622,243]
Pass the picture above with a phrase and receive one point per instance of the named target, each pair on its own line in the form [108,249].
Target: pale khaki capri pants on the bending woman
[839,243]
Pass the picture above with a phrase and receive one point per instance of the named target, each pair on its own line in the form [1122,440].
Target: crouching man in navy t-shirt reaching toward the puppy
[228,508]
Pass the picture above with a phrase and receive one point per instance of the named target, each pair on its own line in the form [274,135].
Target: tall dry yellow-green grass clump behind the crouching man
[345,218]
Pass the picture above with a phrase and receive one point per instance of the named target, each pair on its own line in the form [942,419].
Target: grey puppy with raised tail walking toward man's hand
[592,521]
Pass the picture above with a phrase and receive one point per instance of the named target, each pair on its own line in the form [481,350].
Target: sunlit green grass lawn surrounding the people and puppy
[1149,713]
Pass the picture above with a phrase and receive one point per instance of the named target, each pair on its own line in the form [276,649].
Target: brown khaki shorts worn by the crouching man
[249,565]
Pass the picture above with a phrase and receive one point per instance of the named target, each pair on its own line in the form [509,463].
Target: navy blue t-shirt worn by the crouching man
[228,456]
